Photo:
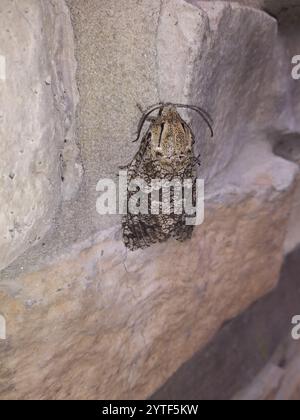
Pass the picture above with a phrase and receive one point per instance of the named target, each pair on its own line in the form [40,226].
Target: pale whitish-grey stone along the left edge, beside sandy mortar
[37,113]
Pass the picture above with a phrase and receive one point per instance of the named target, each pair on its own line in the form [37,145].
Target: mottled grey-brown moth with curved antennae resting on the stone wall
[165,154]
